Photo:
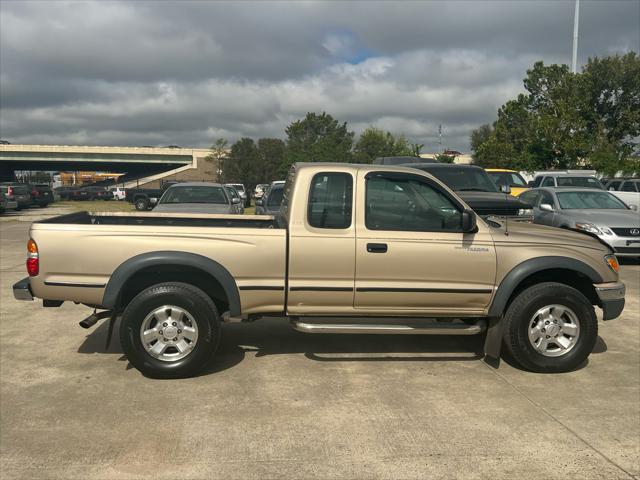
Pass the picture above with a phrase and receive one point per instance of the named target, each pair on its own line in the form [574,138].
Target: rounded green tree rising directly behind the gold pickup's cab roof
[317,138]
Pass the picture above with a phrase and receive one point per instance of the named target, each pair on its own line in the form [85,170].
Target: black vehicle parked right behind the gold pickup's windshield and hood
[475,187]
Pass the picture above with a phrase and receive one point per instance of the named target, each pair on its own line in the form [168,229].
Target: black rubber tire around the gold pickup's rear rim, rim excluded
[193,300]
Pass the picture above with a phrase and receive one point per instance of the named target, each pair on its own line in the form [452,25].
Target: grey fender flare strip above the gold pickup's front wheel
[529,267]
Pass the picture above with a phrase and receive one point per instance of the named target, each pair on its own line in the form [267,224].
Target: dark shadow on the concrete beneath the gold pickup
[274,336]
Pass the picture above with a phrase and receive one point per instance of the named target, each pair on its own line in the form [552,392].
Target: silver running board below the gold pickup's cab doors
[443,328]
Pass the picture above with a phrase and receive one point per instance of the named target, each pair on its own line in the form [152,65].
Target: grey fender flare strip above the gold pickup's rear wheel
[163,258]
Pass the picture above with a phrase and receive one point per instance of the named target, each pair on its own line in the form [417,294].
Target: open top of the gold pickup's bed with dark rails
[167,219]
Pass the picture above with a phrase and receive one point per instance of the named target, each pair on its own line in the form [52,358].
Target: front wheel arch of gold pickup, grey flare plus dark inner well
[561,269]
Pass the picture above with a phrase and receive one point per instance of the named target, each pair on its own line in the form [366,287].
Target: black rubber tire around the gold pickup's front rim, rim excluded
[520,313]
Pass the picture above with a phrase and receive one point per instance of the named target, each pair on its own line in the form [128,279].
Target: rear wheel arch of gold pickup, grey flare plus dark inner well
[170,264]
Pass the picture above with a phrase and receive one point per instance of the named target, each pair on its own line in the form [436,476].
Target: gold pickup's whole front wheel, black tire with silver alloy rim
[550,327]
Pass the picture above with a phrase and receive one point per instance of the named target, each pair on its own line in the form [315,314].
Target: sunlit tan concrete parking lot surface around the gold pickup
[276,403]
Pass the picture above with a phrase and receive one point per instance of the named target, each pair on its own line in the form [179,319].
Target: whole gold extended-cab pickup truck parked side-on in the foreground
[355,249]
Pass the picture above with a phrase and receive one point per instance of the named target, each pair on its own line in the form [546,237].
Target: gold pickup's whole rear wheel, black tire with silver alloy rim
[170,330]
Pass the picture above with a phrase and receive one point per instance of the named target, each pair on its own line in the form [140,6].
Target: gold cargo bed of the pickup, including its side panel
[79,252]
